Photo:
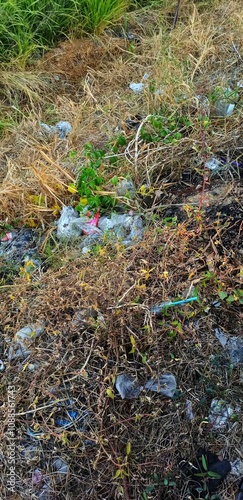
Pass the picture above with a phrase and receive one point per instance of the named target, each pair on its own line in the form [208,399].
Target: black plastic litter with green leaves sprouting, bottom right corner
[206,473]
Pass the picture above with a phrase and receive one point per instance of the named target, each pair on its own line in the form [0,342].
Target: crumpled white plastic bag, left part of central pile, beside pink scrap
[70,225]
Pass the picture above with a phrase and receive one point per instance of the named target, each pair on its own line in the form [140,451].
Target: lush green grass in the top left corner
[26,25]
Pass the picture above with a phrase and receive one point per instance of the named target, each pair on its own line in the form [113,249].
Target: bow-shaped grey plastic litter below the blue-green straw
[129,388]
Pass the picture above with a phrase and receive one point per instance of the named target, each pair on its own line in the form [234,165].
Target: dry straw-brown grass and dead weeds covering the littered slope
[79,359]
